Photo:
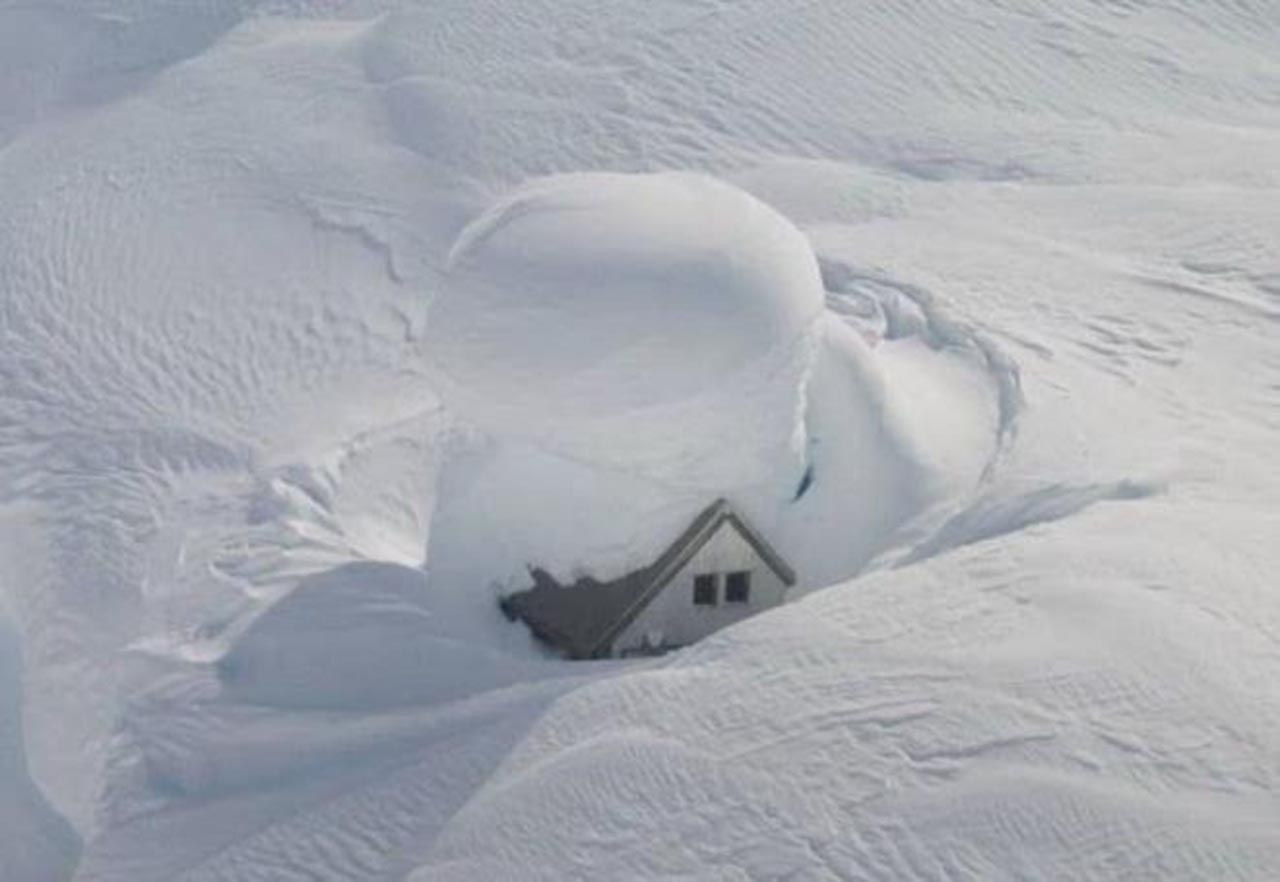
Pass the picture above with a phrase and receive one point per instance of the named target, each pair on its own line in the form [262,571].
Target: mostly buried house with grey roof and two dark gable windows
[717,573]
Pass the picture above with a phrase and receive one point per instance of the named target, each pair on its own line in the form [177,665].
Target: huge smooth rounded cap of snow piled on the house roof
[633,346]
